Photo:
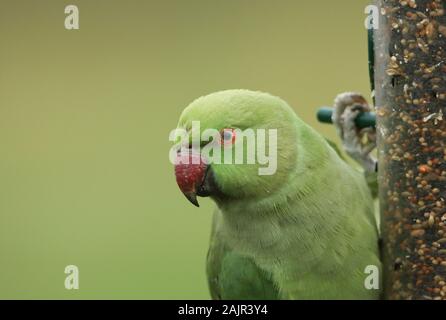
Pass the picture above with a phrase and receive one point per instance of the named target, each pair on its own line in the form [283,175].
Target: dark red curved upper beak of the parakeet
[190,173]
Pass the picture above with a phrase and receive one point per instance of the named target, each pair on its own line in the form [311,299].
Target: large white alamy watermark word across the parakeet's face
[227,146]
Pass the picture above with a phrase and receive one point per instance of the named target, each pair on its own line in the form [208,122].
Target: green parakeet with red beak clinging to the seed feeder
[308,231]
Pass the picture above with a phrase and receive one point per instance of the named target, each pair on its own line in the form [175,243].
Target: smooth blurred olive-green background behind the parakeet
[85,117]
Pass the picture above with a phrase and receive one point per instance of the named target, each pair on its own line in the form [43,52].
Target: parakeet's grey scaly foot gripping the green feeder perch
[357,143]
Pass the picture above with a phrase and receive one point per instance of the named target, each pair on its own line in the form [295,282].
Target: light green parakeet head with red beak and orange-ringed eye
[235,144]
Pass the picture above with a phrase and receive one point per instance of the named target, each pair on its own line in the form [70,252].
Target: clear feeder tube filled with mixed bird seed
[410,84]
